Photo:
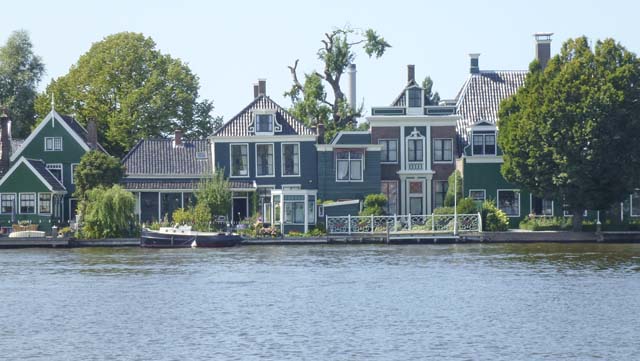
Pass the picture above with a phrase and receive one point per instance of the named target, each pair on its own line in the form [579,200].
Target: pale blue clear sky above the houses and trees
[232,44]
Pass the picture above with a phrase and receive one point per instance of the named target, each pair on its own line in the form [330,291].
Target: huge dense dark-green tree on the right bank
[570,131]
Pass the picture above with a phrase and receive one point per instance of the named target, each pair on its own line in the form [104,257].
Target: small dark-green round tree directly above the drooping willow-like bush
[96,169]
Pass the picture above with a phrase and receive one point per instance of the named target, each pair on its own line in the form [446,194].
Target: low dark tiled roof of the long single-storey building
[160,157]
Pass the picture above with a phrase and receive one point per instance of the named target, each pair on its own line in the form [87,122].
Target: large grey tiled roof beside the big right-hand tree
[480,97]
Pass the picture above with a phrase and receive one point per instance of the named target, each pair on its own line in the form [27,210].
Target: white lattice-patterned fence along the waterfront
[398,224]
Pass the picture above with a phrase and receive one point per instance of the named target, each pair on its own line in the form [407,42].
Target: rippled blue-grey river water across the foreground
[369,302]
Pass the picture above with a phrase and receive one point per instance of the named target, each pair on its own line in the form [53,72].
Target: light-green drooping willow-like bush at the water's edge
[109,213]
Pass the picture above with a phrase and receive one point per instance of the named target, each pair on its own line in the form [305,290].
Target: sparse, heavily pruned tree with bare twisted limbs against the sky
[310,102]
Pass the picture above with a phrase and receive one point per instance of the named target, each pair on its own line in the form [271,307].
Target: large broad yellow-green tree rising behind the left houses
[133,91]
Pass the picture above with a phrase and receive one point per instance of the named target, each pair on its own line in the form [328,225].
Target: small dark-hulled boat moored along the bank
[184,237]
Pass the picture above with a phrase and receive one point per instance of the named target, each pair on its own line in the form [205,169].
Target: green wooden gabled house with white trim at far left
[38,186]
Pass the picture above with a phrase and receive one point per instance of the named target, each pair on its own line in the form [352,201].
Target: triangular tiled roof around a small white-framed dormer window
[238,126]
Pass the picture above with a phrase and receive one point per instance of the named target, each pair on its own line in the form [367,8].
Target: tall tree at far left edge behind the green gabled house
[20,72]
